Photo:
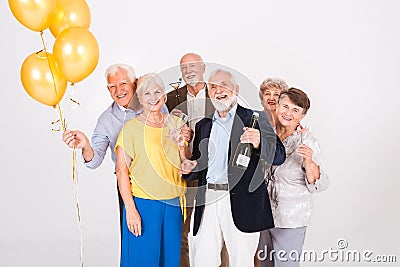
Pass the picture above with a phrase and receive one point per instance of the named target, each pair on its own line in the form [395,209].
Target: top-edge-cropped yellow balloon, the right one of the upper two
[70,13]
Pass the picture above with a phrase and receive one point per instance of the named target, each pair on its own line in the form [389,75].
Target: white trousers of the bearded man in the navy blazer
[217,226]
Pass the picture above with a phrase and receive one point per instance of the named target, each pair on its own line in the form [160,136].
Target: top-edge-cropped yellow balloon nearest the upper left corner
[33,14]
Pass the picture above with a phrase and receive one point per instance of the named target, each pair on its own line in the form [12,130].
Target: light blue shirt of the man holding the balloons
[107,130]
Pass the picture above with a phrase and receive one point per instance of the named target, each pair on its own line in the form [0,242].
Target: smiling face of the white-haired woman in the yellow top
[151,96]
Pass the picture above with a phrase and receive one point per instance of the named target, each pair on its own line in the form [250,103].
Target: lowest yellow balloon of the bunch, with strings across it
[42,79]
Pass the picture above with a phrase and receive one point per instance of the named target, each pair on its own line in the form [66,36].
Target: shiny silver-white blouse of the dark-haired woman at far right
[289,191]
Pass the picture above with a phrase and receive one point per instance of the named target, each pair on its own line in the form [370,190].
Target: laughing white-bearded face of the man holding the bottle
[222,91]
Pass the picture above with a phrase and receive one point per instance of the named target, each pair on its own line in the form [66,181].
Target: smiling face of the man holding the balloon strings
[121,87]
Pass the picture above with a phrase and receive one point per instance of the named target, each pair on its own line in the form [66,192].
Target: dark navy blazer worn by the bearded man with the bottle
[251,210]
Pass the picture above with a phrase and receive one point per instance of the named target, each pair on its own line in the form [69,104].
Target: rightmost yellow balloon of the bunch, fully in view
[76,52]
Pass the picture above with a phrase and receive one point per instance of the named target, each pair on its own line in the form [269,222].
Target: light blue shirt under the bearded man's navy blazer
[218,147]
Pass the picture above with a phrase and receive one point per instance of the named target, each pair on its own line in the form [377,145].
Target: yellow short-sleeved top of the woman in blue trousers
[154,171]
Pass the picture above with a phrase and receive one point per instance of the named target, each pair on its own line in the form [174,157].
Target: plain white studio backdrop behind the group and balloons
[343,53]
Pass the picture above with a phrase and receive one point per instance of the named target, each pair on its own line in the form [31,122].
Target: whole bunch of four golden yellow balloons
[75,54]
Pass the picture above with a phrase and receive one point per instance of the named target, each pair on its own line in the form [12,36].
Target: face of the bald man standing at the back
[192,68]
